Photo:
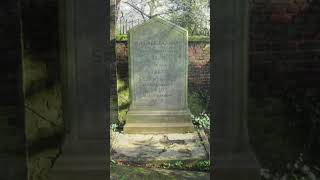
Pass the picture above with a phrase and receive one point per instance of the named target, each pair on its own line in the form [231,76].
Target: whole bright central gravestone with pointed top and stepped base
[158,69]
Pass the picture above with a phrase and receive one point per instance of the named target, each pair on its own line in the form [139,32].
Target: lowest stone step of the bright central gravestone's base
[156,128]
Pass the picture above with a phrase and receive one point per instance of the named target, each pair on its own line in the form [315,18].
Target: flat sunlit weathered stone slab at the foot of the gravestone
[160,147]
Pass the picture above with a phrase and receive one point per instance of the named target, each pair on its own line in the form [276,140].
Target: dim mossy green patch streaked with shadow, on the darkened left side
[43,113]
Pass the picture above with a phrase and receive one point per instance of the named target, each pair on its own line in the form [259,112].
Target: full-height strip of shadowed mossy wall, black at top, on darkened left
[42,87]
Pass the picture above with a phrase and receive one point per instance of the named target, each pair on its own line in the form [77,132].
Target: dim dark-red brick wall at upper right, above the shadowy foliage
[285,45]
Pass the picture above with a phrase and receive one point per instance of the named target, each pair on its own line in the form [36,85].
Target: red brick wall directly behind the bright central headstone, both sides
[199,64]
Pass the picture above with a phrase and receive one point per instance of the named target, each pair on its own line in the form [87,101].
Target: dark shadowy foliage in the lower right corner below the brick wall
[287,126]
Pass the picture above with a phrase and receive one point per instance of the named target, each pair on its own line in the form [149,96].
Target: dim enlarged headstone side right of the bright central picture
[232,155]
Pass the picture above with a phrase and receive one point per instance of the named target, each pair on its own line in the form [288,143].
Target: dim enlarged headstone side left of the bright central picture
[85,74]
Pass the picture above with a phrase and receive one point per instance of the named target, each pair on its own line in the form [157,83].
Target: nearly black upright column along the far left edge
[13,163]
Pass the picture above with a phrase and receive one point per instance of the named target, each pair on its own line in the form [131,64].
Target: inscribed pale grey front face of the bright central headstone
[158,66]
